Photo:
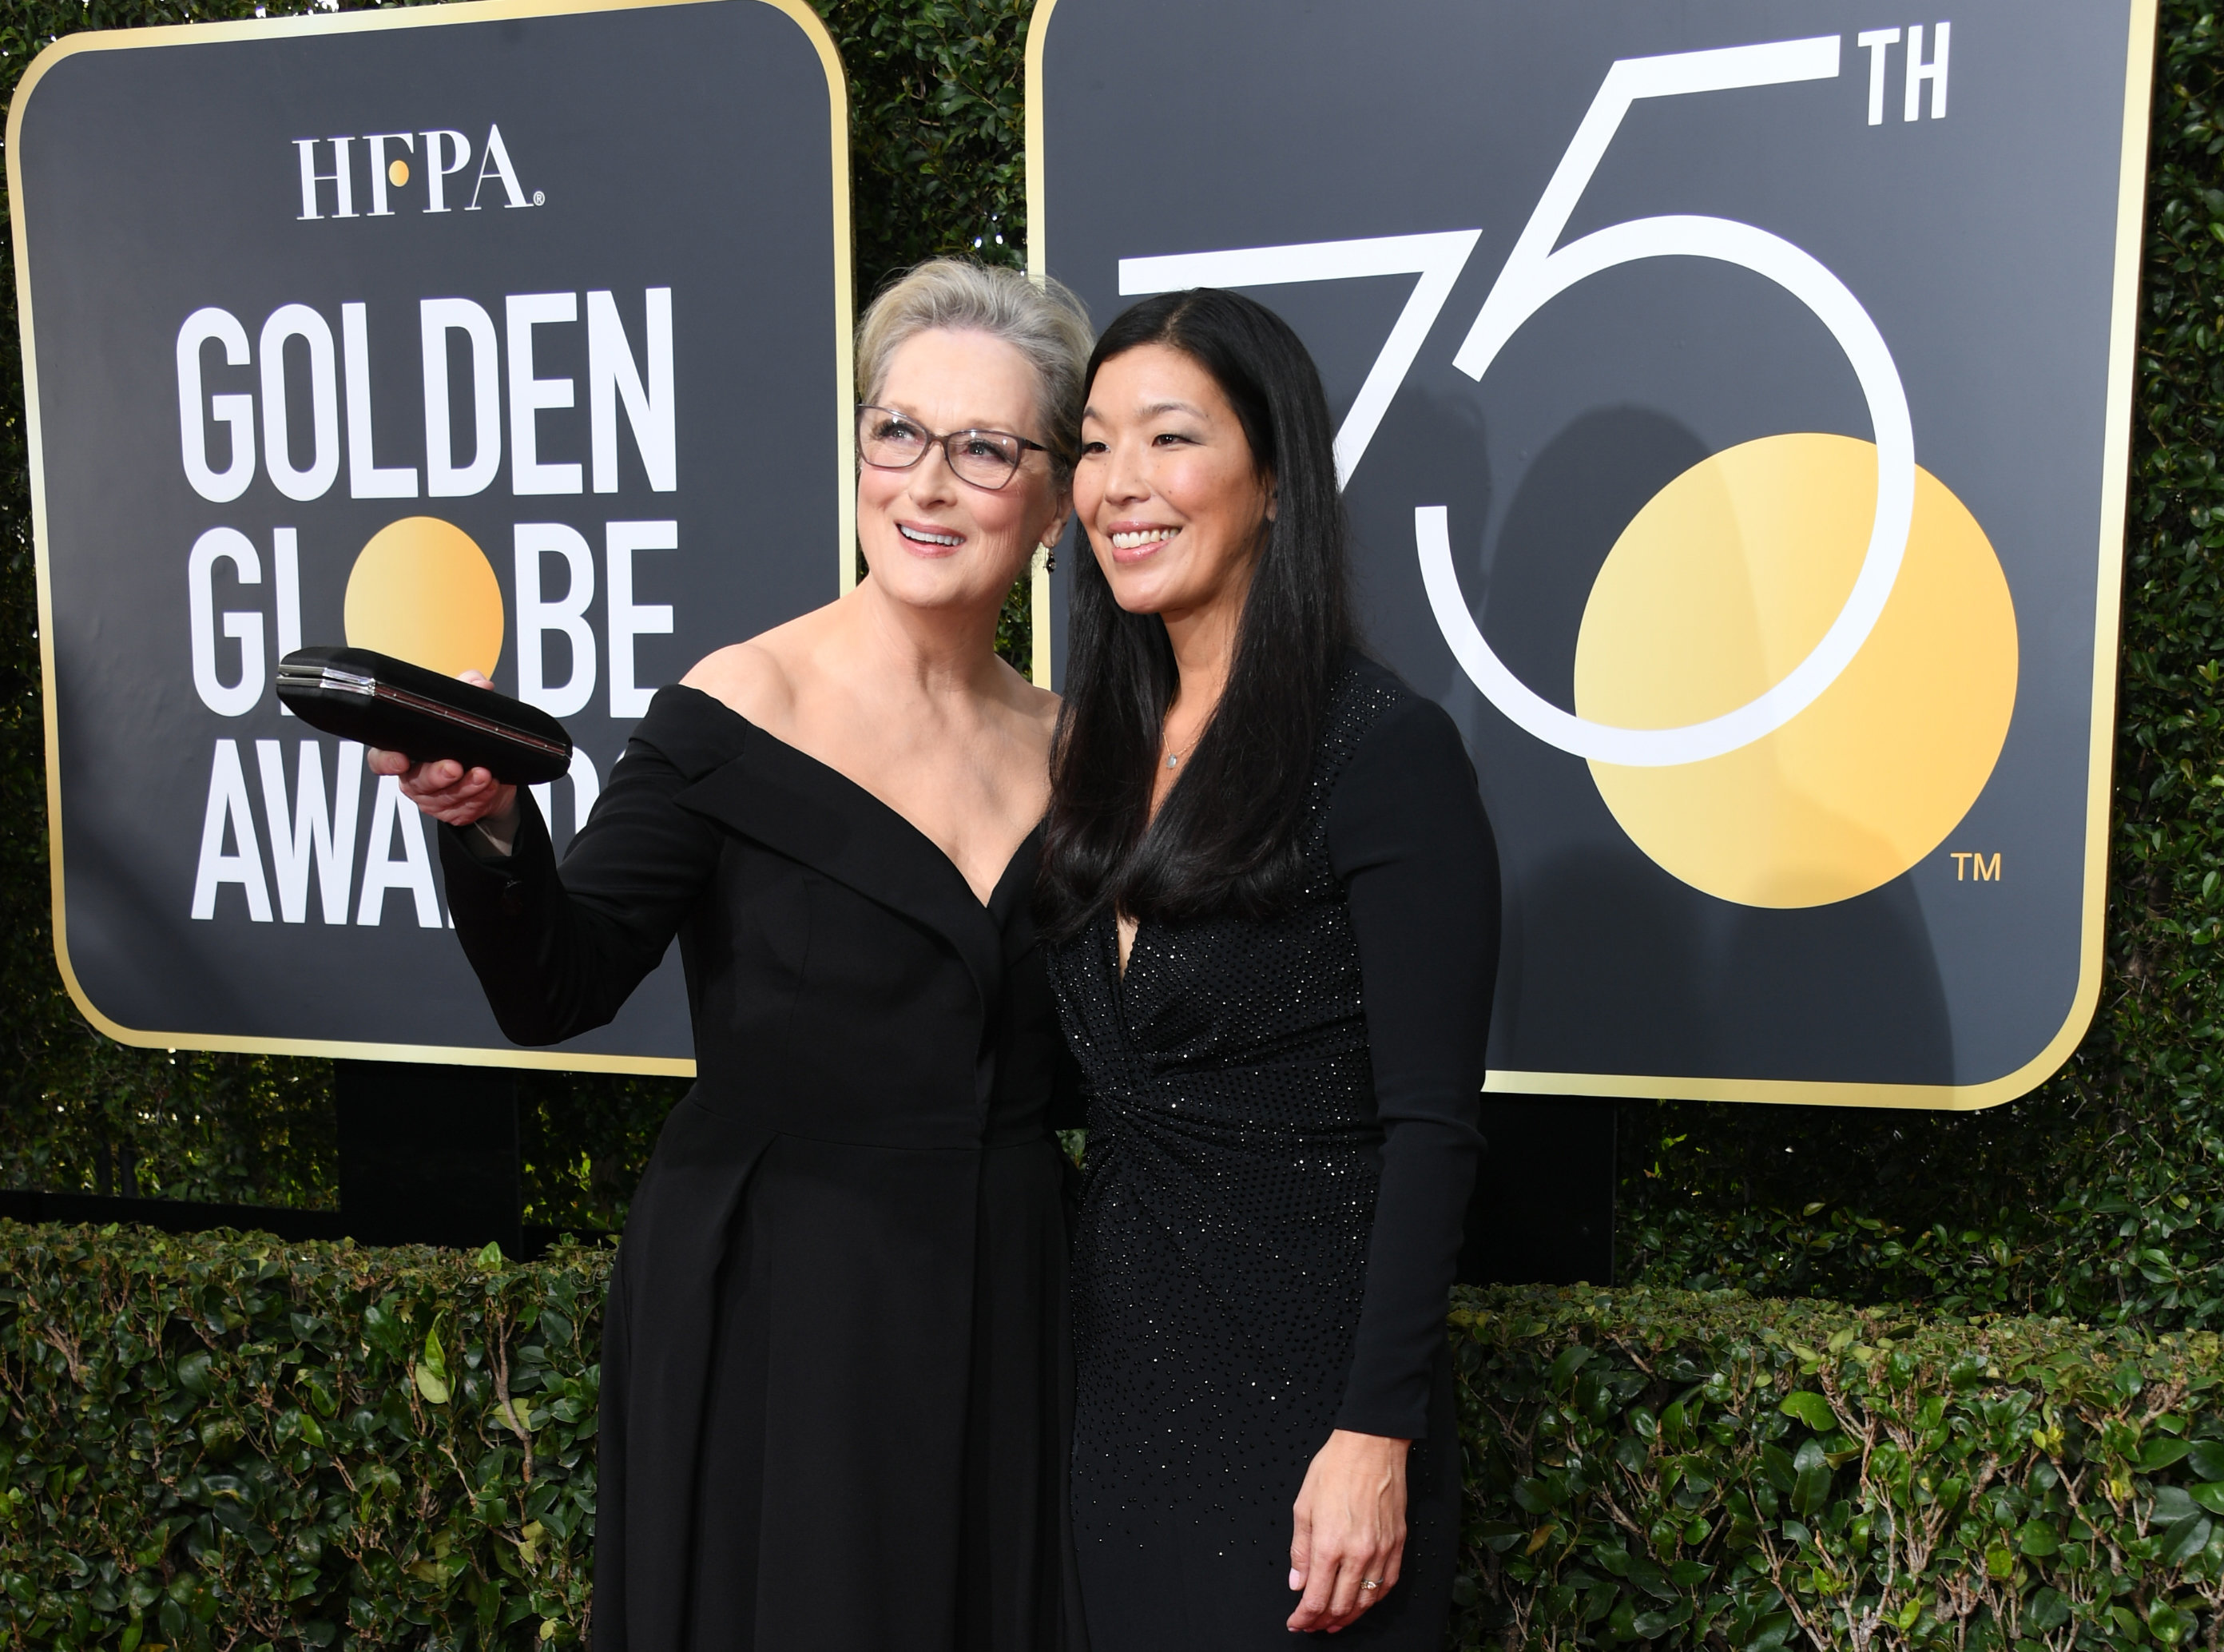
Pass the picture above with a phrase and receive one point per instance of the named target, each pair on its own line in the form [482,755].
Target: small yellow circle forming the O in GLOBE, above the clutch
[424,593]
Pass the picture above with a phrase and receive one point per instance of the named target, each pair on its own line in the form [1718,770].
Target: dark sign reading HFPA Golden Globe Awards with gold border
[504,337]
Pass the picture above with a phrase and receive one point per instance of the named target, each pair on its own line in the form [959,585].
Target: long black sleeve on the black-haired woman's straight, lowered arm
[1411,844]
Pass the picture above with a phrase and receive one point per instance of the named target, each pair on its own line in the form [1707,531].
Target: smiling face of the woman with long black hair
[1169,490]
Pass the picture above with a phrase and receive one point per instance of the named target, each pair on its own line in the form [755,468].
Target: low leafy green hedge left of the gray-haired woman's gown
[224,1442]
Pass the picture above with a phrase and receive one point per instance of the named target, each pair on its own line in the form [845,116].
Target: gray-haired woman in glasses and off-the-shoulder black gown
[835,1397]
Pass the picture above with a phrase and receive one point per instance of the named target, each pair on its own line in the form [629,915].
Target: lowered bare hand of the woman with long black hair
[1351,1529]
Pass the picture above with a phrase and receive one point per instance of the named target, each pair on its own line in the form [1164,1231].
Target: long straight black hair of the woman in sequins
[1227,839]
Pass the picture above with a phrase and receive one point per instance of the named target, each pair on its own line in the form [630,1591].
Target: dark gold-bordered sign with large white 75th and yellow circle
[1734,421]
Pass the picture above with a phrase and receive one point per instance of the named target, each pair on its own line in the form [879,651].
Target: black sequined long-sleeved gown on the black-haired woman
[1282,1146]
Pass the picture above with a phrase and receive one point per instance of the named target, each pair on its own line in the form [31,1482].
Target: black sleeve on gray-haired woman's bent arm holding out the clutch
[559,953]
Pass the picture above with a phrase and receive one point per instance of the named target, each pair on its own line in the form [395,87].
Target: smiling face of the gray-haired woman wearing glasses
[929,537]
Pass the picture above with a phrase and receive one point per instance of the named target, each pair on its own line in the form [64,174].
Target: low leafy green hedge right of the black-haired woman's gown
[1718,1471]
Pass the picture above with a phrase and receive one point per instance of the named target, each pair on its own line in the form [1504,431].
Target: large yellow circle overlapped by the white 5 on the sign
[1718,588]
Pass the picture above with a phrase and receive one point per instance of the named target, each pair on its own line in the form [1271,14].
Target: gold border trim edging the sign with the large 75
[2107,617]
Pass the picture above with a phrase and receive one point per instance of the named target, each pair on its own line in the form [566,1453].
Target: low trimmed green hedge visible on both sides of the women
[230,1444]
